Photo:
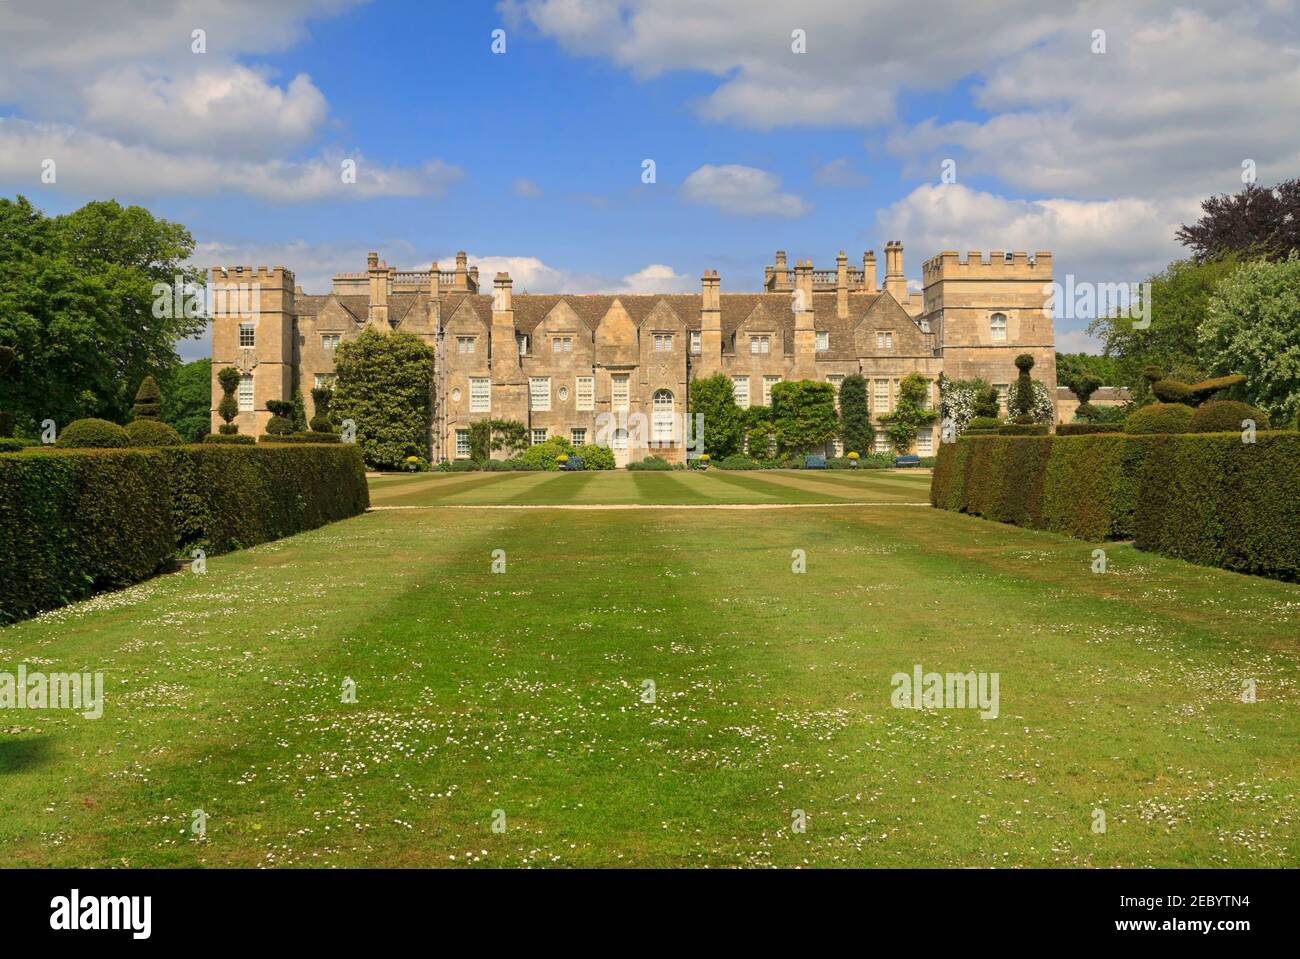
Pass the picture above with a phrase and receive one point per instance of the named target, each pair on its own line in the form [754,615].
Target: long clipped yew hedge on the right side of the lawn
[1204,498]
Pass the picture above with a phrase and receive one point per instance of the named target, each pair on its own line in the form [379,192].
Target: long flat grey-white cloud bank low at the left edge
[93,166]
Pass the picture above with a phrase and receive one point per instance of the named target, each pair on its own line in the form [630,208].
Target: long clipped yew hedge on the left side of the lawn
[80,522]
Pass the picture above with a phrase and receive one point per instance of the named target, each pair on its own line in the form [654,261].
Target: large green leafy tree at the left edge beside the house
[77,297]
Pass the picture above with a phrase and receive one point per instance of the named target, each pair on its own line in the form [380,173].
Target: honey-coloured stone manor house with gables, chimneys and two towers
[587,366]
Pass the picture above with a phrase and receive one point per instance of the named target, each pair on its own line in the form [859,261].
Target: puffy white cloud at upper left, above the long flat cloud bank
[229,106]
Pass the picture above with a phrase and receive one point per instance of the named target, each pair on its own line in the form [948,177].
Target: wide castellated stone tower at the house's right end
[985,314]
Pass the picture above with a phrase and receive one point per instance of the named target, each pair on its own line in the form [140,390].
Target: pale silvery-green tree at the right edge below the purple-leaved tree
[1253,328]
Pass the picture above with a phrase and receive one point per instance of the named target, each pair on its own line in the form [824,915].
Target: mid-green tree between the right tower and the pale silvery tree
[1180,300]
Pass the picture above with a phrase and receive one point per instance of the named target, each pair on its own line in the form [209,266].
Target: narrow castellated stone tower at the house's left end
[253,331]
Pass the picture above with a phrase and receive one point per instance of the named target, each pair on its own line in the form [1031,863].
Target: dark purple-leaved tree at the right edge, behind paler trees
[1258,222]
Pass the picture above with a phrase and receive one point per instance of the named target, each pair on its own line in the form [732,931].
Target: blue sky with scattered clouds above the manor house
[532,159]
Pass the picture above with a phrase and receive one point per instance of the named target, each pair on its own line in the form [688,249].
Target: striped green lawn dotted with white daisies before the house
[522,692]
